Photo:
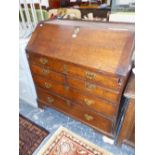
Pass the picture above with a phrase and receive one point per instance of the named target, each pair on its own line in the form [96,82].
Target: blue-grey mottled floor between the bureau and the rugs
[51,120]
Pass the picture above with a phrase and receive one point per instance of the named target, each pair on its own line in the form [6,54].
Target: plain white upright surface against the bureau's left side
[27,91]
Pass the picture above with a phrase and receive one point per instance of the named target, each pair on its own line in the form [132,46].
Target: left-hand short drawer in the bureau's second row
[47,73]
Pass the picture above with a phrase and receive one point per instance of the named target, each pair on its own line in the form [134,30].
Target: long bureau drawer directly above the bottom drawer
[93,102]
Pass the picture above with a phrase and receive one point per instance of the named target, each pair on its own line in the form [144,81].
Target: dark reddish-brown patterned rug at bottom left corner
[30,136]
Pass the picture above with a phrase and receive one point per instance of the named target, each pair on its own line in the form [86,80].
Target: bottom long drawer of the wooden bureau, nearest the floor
[76,111]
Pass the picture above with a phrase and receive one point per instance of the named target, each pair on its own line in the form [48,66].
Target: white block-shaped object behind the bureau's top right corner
[122,17]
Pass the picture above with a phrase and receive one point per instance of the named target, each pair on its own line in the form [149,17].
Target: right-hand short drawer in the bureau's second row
[94,89]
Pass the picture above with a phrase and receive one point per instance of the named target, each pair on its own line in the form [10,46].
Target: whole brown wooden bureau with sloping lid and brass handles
[81,68]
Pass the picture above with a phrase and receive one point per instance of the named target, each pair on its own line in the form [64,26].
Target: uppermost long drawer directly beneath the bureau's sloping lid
[114,83]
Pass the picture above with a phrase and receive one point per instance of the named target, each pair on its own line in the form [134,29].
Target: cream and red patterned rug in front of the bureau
[64,142]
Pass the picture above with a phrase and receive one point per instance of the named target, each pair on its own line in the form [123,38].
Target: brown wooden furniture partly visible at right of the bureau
[126,134]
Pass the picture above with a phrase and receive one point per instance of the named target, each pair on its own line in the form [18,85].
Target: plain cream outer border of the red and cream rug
[60,129]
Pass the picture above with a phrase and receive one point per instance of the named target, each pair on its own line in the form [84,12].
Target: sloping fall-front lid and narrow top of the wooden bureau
[104,47]
